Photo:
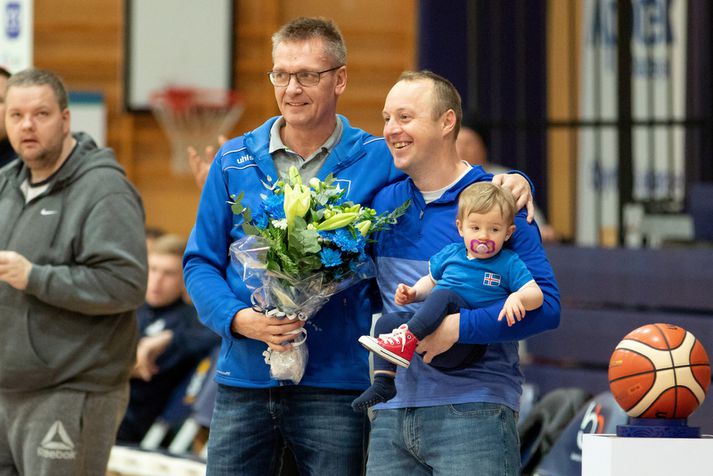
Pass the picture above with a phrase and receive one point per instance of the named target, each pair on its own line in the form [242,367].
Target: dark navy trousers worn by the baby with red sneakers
[438,304]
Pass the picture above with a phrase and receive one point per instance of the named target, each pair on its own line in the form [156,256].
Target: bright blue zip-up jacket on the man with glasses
[363,165]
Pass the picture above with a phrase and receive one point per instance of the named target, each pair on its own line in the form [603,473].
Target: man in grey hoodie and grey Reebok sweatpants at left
[72,272]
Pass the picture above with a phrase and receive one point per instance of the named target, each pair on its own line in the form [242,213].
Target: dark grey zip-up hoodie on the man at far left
[74,326]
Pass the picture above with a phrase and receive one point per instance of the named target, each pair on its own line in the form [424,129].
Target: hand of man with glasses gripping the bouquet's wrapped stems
[276,333]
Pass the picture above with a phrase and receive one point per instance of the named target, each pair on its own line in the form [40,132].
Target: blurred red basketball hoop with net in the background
[194,117]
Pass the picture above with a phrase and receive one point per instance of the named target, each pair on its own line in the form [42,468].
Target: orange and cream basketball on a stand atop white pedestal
[659,371]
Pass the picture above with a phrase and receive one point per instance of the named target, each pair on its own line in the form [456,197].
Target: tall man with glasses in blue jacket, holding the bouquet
[256,416]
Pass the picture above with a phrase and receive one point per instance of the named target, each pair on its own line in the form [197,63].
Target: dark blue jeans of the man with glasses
[250,428]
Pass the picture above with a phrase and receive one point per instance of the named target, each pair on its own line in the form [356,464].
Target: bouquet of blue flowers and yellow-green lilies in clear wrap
[302,245]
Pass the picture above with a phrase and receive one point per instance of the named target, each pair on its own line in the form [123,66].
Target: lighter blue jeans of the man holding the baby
[477,439]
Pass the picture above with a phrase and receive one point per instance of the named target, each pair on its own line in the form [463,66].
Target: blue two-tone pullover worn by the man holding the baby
[402,255]
